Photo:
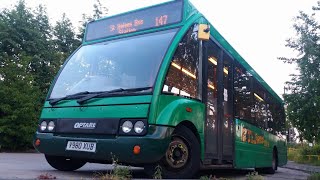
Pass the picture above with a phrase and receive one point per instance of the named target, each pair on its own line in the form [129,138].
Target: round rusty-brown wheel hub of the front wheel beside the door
[177,153]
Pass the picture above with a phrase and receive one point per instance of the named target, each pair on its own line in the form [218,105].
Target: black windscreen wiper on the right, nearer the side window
[104,93]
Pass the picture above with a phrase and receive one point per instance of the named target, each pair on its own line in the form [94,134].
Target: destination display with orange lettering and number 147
[157,16]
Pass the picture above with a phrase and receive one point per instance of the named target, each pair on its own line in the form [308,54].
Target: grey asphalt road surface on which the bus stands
[33,165]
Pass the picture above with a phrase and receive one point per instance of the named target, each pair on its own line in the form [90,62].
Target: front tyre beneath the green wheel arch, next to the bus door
[182,158]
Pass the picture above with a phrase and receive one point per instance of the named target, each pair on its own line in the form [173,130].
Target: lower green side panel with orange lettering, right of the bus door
[252,146]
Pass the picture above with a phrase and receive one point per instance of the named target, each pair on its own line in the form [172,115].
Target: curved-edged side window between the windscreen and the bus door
[182,77]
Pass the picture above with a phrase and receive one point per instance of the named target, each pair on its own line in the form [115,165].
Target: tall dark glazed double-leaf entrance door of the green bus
[219,101]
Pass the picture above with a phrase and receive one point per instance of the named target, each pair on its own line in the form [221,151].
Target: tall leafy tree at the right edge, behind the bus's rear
[303,101]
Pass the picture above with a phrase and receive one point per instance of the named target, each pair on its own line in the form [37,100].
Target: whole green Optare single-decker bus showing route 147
[160,86]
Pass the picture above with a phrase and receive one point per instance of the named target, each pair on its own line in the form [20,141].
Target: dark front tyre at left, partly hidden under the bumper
[63,163]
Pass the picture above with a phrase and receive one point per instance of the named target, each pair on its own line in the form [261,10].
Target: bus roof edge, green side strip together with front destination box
[142,21]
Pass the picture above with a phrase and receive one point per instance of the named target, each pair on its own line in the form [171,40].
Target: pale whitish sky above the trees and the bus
[257,29]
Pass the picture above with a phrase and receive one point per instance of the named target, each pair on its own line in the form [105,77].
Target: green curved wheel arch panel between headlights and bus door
[173,109]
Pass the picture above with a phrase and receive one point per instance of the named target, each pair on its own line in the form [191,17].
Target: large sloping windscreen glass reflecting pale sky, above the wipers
[127,63]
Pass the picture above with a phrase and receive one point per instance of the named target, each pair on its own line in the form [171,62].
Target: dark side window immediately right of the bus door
[242,94]
